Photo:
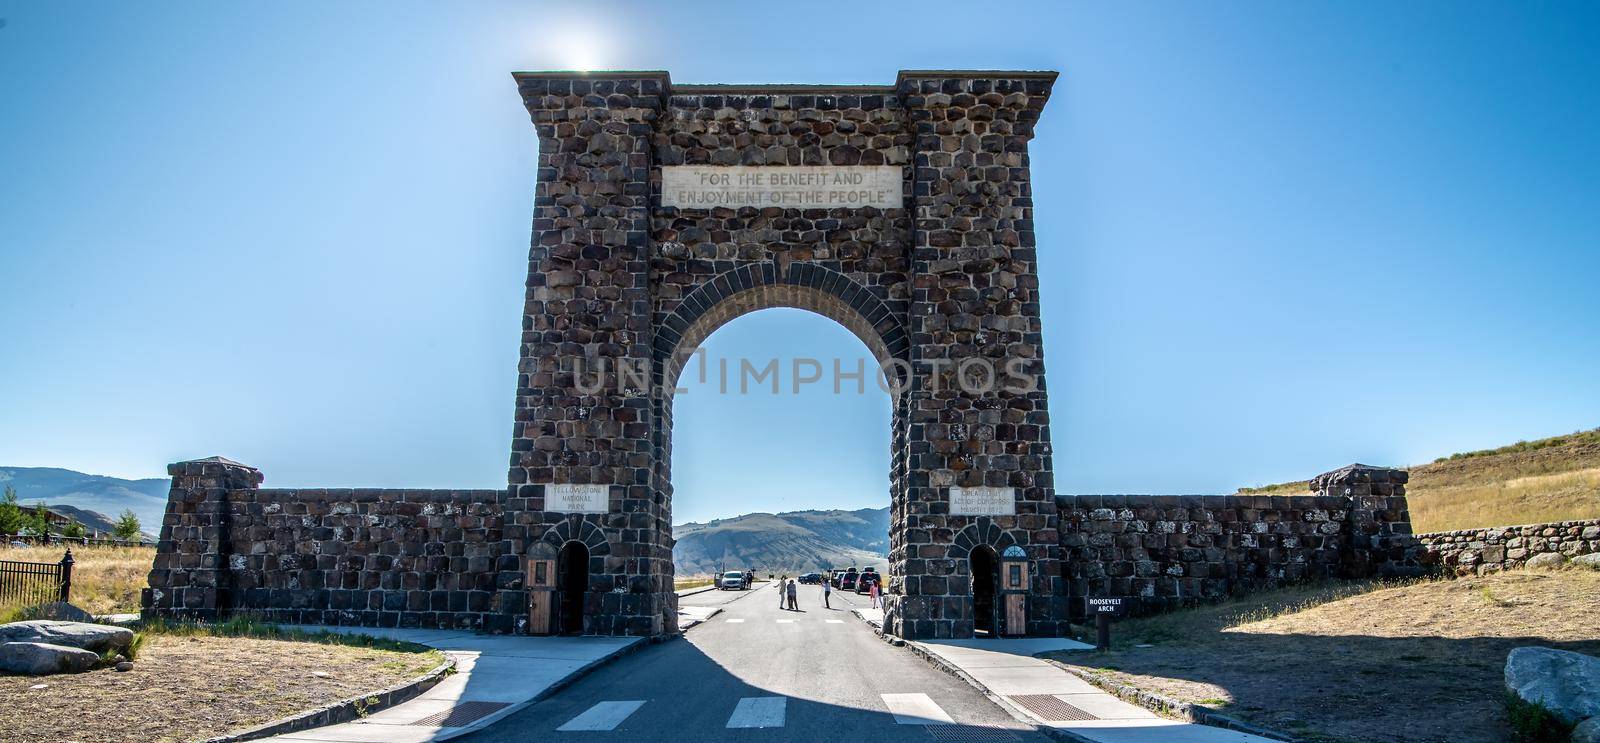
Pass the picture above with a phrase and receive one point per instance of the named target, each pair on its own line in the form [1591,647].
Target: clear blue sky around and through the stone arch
[1274,238]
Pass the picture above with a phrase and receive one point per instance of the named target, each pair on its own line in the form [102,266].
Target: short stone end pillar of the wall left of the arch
[191,571]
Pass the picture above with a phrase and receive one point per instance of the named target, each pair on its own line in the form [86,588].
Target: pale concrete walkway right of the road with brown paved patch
[1038,691]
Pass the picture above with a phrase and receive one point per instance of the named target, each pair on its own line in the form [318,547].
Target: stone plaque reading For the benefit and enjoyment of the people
[788,187]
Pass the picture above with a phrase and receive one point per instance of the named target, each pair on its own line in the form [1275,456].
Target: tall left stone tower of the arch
[590,307]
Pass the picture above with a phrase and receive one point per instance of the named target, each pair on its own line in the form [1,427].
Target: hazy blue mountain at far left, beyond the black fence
[98,496]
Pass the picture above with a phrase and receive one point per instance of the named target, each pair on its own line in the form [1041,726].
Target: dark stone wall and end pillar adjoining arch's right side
[1169,552]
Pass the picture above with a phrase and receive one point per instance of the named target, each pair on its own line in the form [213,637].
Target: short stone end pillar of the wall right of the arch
[1378,523]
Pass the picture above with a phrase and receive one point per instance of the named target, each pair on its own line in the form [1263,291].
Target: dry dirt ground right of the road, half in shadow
[1420,662]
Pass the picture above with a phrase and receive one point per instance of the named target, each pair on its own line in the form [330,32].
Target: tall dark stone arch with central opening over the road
[903,212]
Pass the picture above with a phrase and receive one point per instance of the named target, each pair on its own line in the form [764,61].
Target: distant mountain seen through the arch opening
[785,544]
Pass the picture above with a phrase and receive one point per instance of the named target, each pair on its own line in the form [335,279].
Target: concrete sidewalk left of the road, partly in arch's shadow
[495,677]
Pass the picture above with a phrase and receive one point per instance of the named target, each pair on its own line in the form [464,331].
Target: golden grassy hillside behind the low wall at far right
[1526,483]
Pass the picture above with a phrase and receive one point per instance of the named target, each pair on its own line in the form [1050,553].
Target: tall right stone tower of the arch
[975,300]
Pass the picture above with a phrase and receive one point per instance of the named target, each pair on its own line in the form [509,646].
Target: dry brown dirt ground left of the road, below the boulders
[194,688]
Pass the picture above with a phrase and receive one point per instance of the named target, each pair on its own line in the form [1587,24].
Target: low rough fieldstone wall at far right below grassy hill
[1479,552]
